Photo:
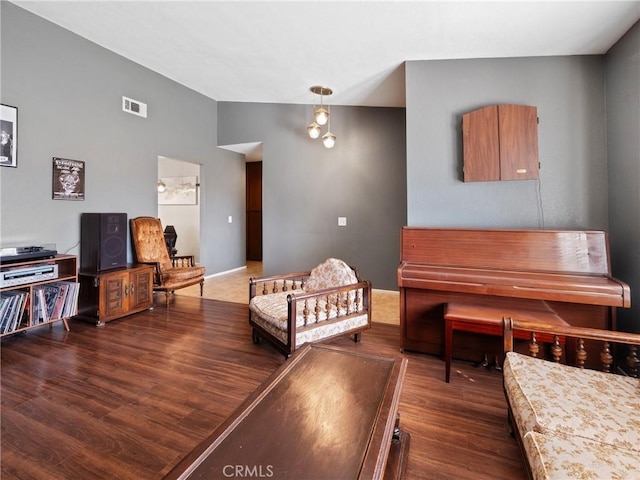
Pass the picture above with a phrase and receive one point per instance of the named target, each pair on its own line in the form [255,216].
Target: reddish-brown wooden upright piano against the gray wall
[569,270]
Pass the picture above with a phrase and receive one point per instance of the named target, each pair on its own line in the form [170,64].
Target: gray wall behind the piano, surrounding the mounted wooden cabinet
[568,92]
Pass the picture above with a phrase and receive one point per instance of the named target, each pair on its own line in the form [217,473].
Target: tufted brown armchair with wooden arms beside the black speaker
[149,246]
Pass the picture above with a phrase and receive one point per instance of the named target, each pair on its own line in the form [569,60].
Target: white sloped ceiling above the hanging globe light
[267,51]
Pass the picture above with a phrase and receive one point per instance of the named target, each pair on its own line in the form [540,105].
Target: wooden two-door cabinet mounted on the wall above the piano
[500,142]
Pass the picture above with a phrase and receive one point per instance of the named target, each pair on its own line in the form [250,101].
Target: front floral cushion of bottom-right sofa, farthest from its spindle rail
[563,457]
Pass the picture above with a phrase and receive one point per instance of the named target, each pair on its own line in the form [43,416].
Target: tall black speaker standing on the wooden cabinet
[103,241]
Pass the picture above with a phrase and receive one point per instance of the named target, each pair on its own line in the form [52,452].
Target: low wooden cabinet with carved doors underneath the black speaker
[106,296]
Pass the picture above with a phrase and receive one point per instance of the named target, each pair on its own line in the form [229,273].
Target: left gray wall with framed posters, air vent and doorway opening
[68,92]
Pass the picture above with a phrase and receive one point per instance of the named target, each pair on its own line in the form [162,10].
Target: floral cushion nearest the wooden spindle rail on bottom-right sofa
[551,398]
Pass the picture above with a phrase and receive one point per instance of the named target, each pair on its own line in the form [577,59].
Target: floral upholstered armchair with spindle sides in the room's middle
[296,308]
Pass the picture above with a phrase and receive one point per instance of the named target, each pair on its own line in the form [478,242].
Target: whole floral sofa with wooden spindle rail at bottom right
[573,422]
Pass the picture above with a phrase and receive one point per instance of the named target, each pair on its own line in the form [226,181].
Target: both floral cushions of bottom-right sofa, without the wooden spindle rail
[574,423]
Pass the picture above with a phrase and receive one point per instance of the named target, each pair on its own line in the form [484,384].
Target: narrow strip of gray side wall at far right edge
[623,144]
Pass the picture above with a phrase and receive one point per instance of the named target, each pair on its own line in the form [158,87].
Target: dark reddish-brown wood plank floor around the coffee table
[129,400]
